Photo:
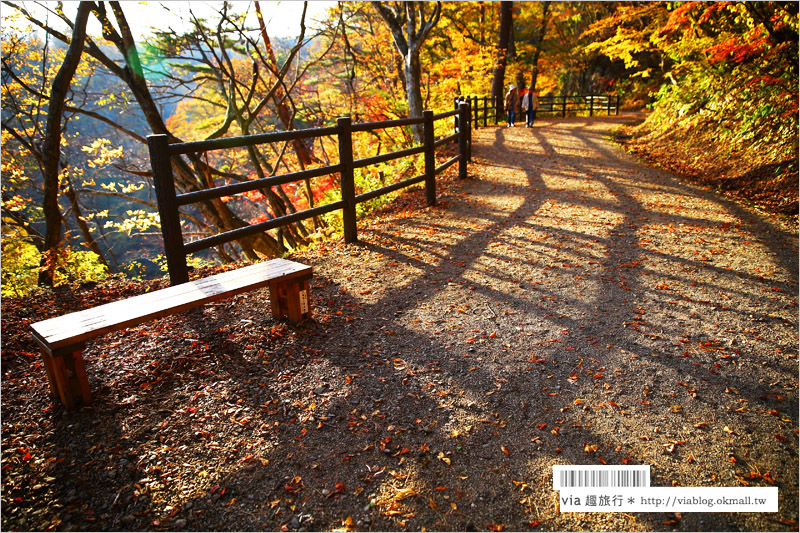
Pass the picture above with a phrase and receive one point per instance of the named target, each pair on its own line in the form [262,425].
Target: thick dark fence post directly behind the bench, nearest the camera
[164,183]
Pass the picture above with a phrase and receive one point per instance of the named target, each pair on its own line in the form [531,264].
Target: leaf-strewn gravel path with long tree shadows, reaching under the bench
[565,305]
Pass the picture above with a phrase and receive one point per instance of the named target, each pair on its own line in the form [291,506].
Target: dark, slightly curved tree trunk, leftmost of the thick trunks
[51,147]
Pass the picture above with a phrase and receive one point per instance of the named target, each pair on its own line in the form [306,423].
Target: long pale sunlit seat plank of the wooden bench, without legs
[74,328]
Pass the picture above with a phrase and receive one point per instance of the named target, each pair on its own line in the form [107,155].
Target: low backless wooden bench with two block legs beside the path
[62,339]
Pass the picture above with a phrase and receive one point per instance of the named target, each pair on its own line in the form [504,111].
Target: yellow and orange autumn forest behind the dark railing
[77,192]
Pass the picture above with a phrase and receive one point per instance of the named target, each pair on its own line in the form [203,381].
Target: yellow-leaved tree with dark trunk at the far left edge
[39,86]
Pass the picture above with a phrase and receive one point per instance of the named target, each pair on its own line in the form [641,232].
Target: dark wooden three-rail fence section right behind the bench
[169,201]
